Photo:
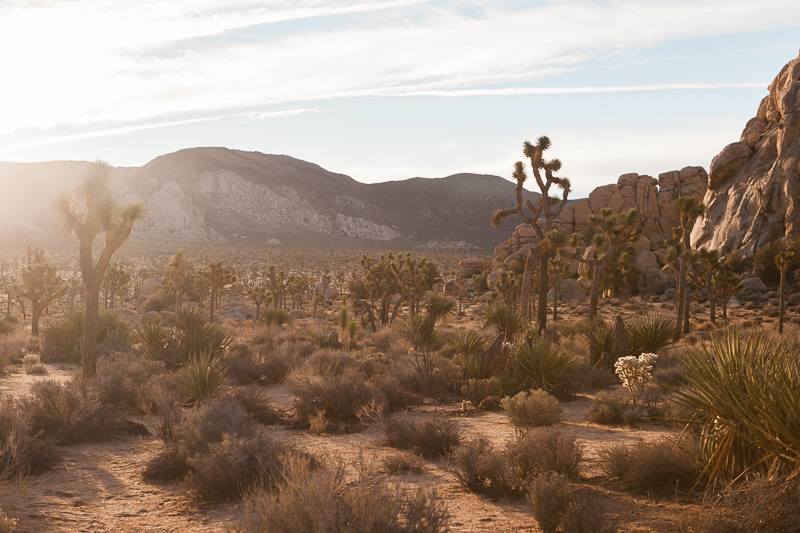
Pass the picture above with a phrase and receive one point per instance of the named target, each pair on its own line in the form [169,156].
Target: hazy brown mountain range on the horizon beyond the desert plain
[222,195]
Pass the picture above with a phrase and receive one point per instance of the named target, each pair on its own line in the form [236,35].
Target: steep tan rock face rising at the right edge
[754,184]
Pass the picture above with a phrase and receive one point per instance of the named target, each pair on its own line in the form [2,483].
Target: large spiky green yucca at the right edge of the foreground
[746,386]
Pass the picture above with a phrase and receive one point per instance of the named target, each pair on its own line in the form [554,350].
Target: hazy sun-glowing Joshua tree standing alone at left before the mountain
[102,214]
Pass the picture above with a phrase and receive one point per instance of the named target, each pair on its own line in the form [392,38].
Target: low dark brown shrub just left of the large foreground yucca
[661,465]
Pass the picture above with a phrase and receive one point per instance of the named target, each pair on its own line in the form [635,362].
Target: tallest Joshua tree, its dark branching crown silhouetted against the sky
[546,210]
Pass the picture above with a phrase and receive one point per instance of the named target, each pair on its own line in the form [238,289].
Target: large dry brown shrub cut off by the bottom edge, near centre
[321,500]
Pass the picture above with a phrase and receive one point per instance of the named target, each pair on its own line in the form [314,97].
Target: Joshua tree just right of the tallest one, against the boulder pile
[612,234]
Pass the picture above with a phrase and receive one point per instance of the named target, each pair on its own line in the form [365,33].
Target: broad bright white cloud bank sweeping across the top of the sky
[104,61]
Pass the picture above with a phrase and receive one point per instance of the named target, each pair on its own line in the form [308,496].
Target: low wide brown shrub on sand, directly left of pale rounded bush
[430,437]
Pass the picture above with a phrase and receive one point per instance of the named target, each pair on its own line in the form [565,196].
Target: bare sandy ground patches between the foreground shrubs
[99,487]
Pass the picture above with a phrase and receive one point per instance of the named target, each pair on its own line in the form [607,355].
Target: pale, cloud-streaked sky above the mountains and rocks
[391,89]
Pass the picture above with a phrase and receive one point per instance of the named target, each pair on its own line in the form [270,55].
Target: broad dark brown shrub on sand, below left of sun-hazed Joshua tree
[73,413]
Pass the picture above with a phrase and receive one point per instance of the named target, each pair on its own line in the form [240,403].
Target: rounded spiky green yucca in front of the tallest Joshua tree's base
[544,362]
